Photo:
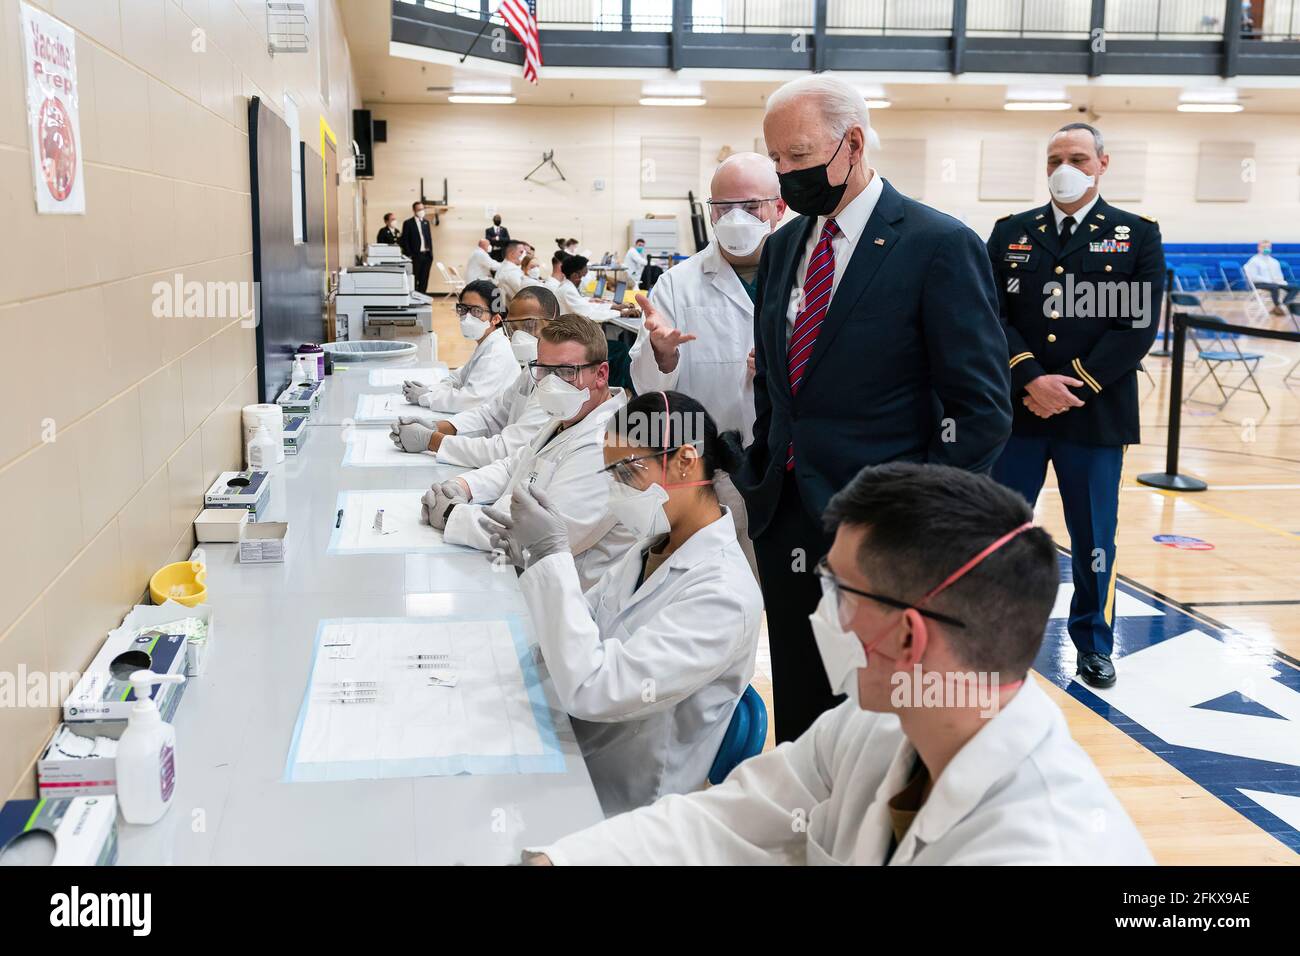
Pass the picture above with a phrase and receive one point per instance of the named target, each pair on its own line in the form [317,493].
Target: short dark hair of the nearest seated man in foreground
[924,522]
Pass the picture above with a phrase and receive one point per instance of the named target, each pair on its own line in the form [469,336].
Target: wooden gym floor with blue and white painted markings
[1198,802]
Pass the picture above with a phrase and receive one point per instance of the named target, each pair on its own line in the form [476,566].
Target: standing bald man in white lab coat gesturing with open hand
[699,331]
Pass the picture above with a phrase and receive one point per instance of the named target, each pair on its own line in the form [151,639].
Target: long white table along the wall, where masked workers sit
[235,723]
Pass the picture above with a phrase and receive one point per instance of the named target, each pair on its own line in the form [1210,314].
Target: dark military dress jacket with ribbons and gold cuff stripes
[1090,310]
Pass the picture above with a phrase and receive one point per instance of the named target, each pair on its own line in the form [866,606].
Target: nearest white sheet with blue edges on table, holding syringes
[401,724]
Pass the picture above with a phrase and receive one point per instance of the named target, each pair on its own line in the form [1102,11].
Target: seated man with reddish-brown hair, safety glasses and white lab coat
[564,460]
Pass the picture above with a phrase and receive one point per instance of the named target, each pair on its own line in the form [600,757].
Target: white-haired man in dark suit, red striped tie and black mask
[877,339]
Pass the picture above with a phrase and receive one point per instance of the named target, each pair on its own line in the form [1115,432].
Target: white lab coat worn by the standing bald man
[704,296]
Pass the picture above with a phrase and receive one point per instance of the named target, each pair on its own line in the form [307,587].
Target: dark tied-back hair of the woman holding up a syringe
[666,421]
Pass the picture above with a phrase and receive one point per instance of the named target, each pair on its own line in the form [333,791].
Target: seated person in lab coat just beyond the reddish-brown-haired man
[502,426]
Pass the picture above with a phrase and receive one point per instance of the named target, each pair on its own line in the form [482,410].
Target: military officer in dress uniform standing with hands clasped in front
[1081,285]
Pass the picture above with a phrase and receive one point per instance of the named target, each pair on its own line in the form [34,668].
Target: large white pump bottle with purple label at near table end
[146,755]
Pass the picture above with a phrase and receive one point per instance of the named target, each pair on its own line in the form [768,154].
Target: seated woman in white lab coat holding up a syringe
[679,613]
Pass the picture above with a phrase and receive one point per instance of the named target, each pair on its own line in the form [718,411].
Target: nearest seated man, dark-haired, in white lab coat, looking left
[935,596]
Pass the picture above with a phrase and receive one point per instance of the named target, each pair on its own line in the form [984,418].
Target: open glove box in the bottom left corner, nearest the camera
[85,830]
